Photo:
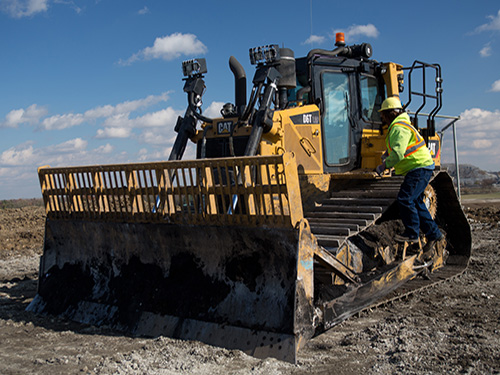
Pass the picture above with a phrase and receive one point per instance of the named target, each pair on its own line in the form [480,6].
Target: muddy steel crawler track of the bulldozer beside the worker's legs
[351,211]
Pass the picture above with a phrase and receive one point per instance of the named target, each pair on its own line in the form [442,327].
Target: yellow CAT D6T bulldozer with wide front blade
[277,231]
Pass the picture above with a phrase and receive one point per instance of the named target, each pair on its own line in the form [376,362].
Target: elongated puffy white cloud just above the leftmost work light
[169,47]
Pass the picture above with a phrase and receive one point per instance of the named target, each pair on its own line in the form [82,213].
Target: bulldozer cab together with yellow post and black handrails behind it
[349,92]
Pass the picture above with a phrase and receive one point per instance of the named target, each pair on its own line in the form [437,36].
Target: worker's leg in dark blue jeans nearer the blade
[411,189]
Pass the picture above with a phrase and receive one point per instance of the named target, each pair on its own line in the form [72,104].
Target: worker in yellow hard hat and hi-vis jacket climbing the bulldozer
[410,157]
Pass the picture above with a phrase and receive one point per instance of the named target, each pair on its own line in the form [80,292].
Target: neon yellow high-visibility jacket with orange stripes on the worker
[406,147]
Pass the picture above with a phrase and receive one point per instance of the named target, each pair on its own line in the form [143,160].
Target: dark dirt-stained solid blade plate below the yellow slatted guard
[232,287]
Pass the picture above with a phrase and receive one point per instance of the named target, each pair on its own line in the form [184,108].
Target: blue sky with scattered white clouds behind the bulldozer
[100,81]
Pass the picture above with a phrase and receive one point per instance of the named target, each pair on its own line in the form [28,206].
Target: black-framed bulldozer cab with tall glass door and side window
[349,93]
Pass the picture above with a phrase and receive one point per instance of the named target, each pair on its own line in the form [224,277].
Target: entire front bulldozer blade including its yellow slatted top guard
[152,249]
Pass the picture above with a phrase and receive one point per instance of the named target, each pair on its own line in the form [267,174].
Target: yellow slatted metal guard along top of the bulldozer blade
[229,191]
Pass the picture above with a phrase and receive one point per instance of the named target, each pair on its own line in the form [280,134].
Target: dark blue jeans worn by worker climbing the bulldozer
[412,209]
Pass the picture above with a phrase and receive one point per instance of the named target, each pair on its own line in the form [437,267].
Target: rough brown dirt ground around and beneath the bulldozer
[453,327]
